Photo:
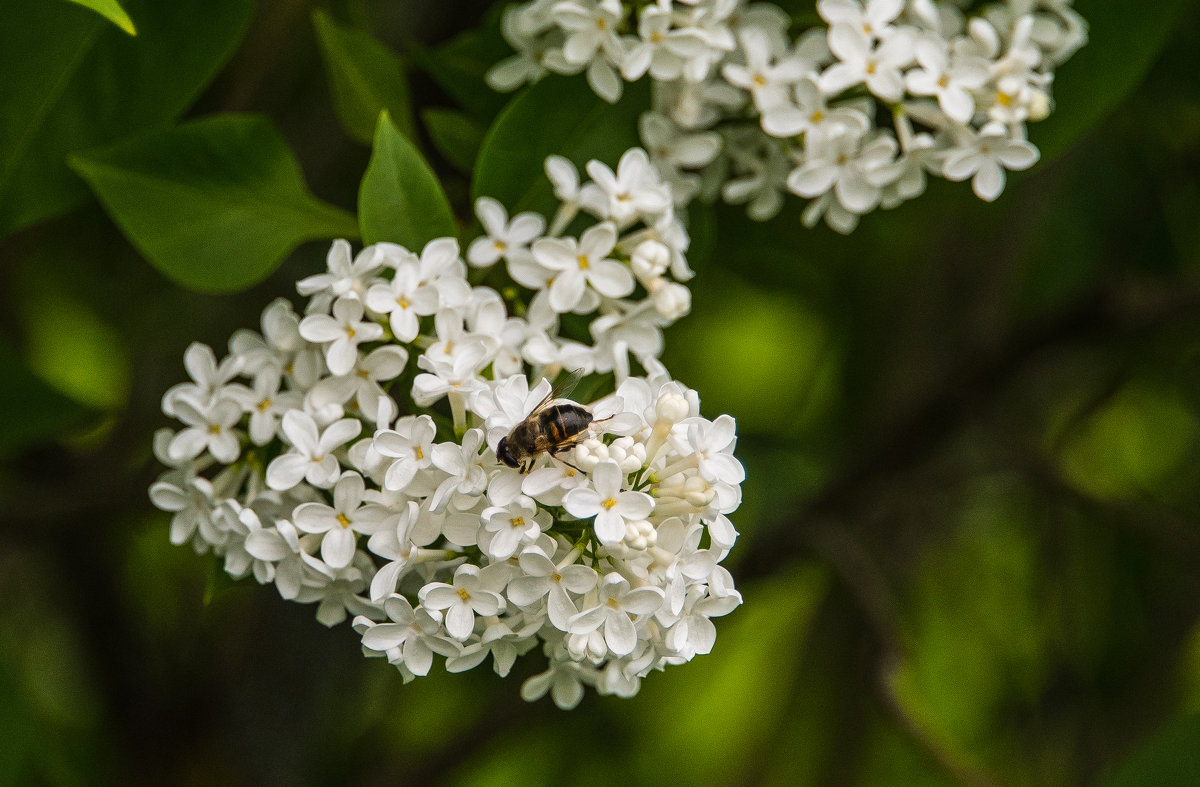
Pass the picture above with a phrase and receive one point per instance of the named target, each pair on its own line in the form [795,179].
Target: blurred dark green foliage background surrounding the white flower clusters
[970,551]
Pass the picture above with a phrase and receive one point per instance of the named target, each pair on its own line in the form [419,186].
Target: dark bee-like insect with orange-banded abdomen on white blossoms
[555,426]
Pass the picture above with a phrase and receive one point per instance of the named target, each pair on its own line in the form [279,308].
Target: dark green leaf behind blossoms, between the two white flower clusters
[557,116]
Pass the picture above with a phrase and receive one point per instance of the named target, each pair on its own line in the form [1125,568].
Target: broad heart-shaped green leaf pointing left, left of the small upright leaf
[215,205]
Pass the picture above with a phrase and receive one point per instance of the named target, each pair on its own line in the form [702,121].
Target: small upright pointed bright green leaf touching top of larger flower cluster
[400,200]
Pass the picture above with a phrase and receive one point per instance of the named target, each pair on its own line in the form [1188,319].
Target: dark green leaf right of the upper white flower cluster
[1125,40]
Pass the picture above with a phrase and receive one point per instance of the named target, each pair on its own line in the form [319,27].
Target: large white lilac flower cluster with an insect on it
[349,455]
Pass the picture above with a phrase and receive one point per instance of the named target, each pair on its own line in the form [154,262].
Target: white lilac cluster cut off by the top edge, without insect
[743,111]
